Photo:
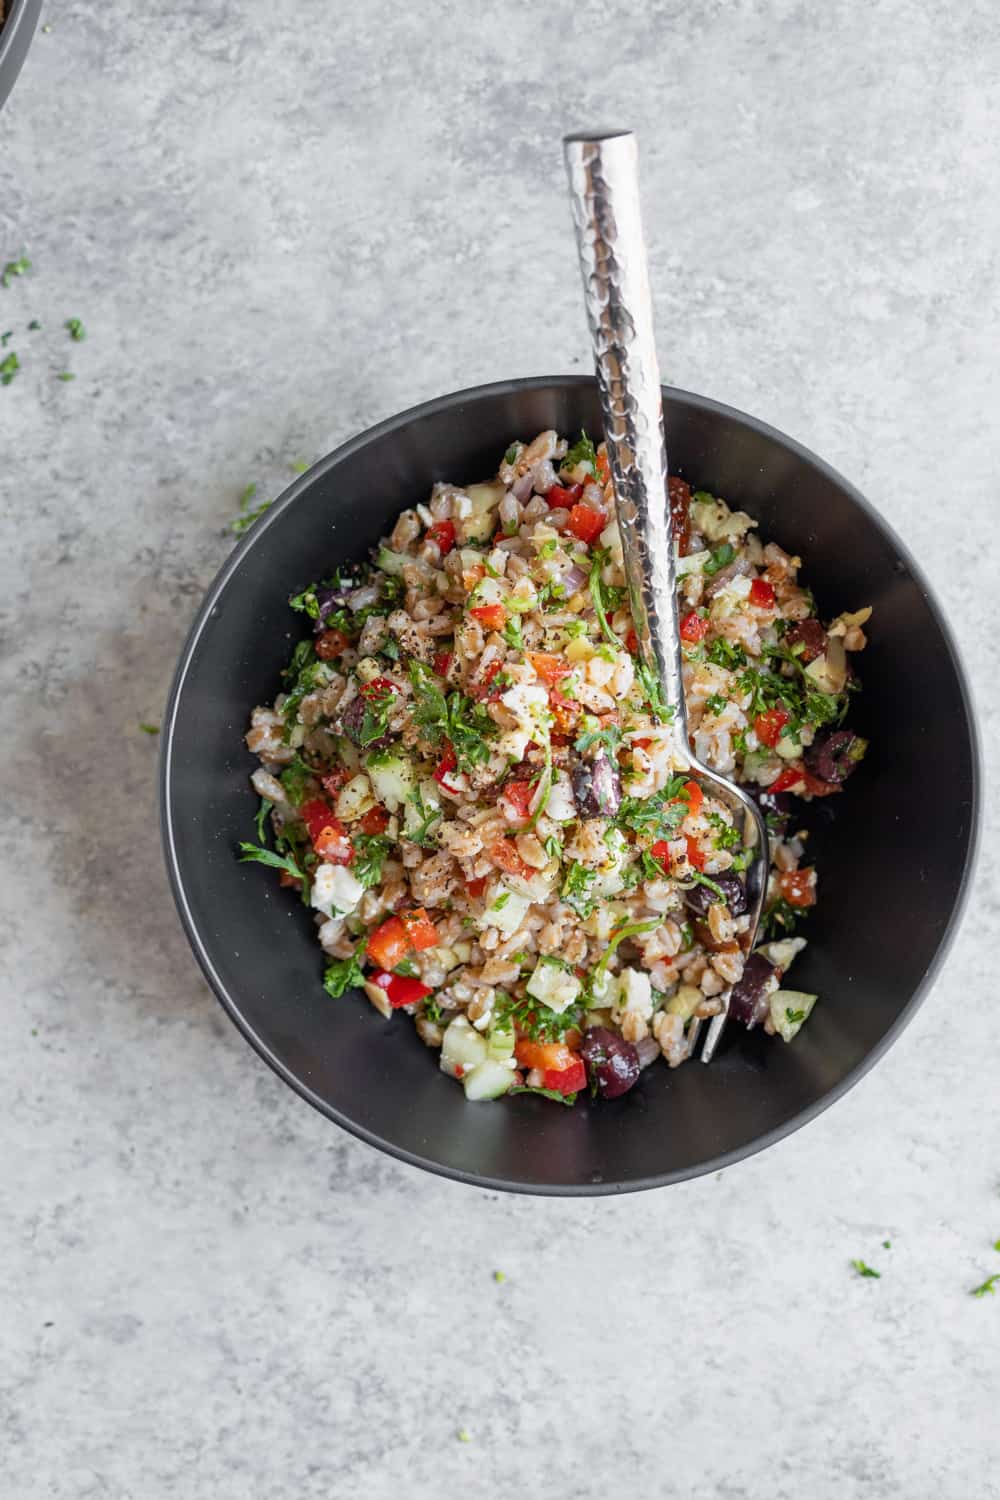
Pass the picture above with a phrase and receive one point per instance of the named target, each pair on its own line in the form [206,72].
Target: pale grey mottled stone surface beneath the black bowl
[280,224]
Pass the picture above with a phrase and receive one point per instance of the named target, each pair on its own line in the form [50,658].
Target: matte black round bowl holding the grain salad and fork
[894,851]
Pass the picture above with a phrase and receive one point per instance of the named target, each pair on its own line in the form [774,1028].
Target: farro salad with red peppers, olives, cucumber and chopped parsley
[472,779]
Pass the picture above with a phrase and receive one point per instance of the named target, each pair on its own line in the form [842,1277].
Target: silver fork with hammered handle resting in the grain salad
[605,193]
